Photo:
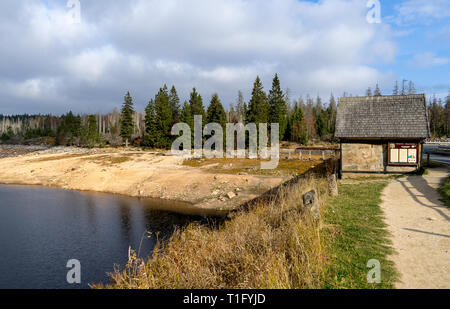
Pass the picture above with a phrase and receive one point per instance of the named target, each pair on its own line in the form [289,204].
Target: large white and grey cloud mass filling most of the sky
[217,46]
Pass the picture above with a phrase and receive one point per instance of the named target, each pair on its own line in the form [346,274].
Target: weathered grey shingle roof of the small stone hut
[403,116]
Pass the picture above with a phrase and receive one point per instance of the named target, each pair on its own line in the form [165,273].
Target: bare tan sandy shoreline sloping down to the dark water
[131,172]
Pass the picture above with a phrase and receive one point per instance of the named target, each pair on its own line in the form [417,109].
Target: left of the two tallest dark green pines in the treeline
[258,107]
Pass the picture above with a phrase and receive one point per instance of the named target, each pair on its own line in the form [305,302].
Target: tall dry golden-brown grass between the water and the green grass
[274,246]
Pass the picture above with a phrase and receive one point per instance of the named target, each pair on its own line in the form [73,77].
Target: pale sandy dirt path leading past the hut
[420,225]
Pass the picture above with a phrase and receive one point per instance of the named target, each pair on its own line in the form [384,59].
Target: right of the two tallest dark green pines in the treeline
[277,106]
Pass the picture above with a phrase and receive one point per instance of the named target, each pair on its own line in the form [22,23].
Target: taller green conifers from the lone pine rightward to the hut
[299,120]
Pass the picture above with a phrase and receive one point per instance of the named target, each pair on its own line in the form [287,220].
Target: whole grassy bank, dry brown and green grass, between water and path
[275,246]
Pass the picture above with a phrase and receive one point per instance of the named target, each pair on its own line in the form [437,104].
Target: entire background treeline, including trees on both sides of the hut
[301,120]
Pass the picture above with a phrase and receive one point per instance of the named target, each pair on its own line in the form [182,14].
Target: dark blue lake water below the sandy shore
[41,229]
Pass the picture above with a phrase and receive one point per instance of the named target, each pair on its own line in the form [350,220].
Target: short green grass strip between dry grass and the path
[355,233]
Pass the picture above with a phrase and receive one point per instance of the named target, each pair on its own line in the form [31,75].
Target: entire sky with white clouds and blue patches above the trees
[53,60]
